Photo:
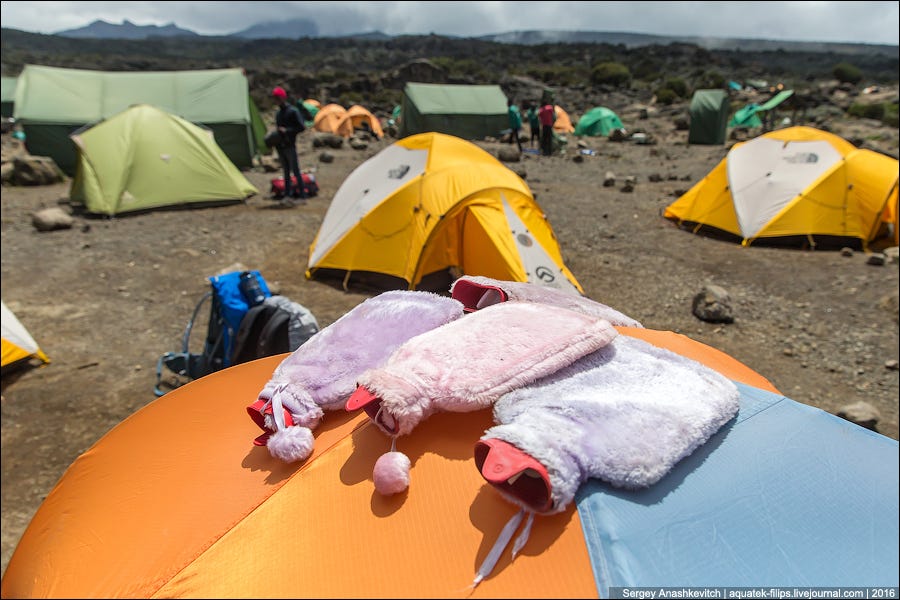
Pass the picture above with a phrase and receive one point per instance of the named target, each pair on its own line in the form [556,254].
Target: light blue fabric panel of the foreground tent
[783,495]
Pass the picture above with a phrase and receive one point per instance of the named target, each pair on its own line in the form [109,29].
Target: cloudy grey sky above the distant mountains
[862,22]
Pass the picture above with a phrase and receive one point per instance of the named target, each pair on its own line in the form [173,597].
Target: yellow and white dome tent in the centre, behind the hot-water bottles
[433,206]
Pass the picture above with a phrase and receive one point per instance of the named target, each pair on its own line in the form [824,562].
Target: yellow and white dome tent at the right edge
[798,183]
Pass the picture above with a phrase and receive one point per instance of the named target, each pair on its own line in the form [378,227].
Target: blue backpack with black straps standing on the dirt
[228,306]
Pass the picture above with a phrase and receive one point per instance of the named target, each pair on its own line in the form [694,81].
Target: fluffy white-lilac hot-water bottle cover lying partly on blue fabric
[625,414]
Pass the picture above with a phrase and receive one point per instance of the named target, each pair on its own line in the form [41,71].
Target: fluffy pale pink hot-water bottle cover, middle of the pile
[467,364]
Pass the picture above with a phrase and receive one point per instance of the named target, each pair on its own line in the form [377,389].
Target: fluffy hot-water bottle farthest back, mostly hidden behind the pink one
[531,292]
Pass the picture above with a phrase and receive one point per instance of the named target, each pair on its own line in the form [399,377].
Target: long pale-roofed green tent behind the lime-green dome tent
[51,103]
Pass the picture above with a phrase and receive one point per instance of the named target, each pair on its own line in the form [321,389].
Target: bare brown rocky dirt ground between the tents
[106,297]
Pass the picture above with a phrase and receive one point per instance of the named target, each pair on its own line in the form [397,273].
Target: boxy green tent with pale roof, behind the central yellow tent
[466,111]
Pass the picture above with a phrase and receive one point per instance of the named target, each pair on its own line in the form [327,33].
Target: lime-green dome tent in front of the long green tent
[145,158]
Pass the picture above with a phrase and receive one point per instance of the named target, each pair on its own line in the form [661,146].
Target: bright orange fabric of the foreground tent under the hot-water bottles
[176,502]
